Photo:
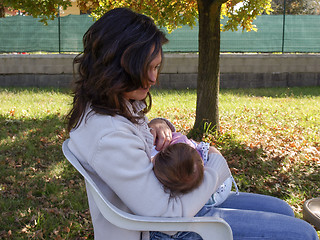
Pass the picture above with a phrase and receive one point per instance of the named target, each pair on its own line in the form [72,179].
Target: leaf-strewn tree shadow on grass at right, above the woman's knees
[258,170]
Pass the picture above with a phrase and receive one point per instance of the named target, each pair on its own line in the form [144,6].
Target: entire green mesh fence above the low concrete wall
[300,33]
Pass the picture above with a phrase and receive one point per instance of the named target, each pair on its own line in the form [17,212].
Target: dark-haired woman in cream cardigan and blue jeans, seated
[111,136]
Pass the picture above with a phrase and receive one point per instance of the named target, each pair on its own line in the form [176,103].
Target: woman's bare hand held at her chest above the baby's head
[161,132]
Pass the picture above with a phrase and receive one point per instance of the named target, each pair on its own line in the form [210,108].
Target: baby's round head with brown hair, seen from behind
[179,168]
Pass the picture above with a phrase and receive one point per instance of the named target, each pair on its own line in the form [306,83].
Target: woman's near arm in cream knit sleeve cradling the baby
[123,164]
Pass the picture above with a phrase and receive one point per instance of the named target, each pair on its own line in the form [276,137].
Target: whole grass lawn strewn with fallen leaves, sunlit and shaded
[270,137]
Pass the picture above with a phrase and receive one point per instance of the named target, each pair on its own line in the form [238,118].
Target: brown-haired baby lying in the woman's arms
[180,168]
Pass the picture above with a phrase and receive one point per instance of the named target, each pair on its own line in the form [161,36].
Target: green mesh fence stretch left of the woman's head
[27,34]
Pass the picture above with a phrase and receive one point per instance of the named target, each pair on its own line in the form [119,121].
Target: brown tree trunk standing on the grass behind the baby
[207,111]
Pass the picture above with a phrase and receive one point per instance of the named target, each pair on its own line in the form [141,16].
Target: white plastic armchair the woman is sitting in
[207,227]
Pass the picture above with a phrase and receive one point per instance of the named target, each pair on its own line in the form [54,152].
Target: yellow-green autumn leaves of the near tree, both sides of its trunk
[174,13]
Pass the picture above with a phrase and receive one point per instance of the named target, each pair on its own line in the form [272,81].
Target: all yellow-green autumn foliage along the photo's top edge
[167,13]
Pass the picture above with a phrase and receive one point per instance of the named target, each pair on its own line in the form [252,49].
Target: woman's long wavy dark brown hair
[118,49]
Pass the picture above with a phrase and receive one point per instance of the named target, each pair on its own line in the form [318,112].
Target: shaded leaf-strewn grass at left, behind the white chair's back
[42,195]
